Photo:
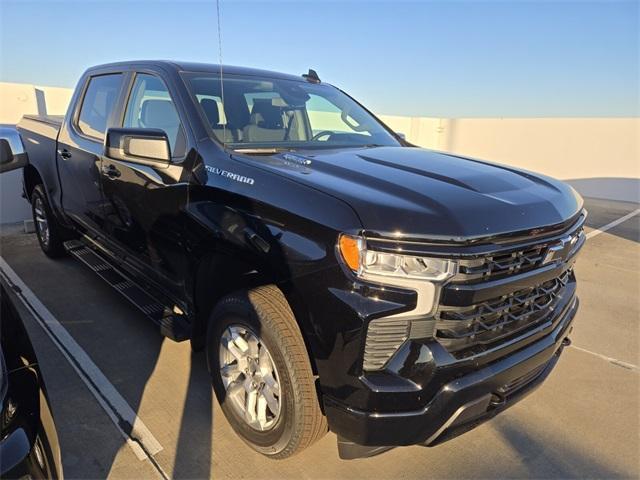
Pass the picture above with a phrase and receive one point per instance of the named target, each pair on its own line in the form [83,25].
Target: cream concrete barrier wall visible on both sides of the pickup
[600,157]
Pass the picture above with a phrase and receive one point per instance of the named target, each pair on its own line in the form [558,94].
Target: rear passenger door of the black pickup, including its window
[80,148]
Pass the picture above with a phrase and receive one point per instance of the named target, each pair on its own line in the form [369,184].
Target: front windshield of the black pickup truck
[262,113]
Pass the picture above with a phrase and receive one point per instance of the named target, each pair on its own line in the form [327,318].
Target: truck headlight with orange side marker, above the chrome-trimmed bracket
[367,263]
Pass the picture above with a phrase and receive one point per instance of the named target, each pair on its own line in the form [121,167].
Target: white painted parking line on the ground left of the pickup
[132,428]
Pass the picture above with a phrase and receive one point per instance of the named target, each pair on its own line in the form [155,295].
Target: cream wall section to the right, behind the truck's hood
[600,157]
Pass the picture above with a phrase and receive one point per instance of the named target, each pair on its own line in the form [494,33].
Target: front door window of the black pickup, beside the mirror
[150,106]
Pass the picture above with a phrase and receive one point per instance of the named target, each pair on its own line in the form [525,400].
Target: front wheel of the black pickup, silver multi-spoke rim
[261,373]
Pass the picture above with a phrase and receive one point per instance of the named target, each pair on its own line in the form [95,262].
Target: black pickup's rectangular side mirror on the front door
[149,146]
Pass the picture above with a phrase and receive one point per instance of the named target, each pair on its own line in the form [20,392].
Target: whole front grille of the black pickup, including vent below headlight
[465,330]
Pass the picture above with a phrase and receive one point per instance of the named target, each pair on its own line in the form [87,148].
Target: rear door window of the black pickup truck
[97,104]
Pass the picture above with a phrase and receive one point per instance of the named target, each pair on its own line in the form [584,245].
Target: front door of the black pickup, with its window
[145,201]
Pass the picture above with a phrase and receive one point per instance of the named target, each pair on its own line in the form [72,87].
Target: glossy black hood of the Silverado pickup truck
[419,193]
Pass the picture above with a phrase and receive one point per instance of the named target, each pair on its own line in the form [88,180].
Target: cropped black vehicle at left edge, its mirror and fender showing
[28,440]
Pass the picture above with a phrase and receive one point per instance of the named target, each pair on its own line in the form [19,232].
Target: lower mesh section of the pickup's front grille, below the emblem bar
[459,329]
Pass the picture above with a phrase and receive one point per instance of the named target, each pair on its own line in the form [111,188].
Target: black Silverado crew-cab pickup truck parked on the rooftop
[338,277]
